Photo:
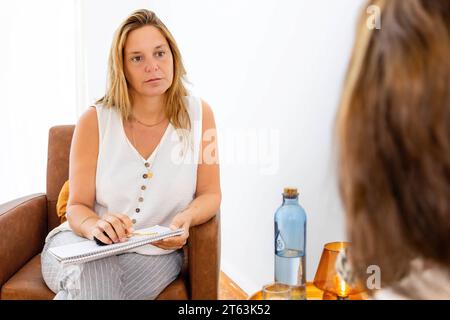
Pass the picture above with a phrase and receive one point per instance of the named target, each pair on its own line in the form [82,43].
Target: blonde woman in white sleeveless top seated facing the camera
[136,160]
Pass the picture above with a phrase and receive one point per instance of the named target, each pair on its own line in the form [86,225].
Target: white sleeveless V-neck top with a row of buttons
[150,191]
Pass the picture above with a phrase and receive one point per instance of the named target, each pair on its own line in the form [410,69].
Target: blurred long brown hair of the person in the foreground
[393,130]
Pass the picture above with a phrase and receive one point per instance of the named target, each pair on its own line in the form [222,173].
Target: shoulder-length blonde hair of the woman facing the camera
[117,95]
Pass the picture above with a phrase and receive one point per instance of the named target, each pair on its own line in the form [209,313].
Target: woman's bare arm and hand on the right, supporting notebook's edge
[208,194]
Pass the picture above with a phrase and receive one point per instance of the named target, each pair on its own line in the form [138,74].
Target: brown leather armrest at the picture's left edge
[23,227]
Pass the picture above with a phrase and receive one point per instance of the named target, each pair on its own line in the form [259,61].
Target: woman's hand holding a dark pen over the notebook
[116,225]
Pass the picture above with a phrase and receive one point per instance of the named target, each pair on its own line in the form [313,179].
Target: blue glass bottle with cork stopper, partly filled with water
[290,244]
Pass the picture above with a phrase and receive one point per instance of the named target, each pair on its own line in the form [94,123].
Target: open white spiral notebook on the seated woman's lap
[88,250]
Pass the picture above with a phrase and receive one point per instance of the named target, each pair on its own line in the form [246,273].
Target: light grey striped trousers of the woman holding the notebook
[124,276]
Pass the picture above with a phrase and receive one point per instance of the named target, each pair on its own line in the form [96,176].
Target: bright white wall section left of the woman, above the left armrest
[37,88]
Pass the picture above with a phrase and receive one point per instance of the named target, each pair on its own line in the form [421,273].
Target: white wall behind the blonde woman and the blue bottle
[271,70]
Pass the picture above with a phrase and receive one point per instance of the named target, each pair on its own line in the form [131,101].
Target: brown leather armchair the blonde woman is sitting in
[25,222]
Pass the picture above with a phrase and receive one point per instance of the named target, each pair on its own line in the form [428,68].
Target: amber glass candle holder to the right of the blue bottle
[327,278]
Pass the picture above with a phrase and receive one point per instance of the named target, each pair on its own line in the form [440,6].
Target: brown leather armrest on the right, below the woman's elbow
[204,259]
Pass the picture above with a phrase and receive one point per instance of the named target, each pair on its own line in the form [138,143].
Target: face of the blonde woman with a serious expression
[148,62]
